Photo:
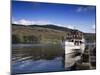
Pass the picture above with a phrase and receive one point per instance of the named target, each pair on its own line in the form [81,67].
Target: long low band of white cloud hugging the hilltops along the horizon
[32,22]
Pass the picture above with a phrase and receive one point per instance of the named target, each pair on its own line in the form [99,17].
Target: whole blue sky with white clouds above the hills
[81,17]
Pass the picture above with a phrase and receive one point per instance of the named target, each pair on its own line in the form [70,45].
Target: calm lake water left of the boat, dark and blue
[28,58]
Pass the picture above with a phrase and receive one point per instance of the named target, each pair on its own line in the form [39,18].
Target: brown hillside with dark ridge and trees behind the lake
[43,34]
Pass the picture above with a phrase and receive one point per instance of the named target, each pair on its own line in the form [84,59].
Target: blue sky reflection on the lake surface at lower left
[41,65]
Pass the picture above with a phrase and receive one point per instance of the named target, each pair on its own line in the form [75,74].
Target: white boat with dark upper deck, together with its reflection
[74,47]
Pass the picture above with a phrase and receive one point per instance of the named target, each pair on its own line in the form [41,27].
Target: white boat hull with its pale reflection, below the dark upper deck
[73,53]
